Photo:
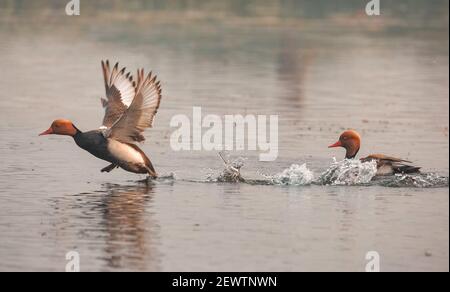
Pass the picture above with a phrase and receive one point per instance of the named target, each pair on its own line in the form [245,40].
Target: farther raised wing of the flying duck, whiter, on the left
[120,91]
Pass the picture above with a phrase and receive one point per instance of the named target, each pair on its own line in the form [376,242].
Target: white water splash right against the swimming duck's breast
[348,172]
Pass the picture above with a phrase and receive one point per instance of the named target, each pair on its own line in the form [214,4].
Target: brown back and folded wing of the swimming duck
[388,164]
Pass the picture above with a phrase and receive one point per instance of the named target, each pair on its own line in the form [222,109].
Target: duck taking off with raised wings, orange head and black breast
[130,107]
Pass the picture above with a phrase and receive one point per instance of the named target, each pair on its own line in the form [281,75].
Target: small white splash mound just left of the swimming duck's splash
[296,175]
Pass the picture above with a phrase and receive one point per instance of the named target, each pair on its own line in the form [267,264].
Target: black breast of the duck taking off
[95,143]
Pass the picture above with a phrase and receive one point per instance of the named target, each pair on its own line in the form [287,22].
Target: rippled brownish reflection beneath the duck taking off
[128,228]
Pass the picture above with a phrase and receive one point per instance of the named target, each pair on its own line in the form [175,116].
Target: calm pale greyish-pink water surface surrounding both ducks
[319,76]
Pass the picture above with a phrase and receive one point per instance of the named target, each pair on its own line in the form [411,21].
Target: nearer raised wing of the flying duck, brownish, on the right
[140,114]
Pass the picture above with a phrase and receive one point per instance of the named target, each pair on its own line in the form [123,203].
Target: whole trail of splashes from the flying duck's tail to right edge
[346,172]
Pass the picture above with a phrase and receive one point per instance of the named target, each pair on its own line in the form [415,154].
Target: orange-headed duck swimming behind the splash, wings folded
[386,165]
